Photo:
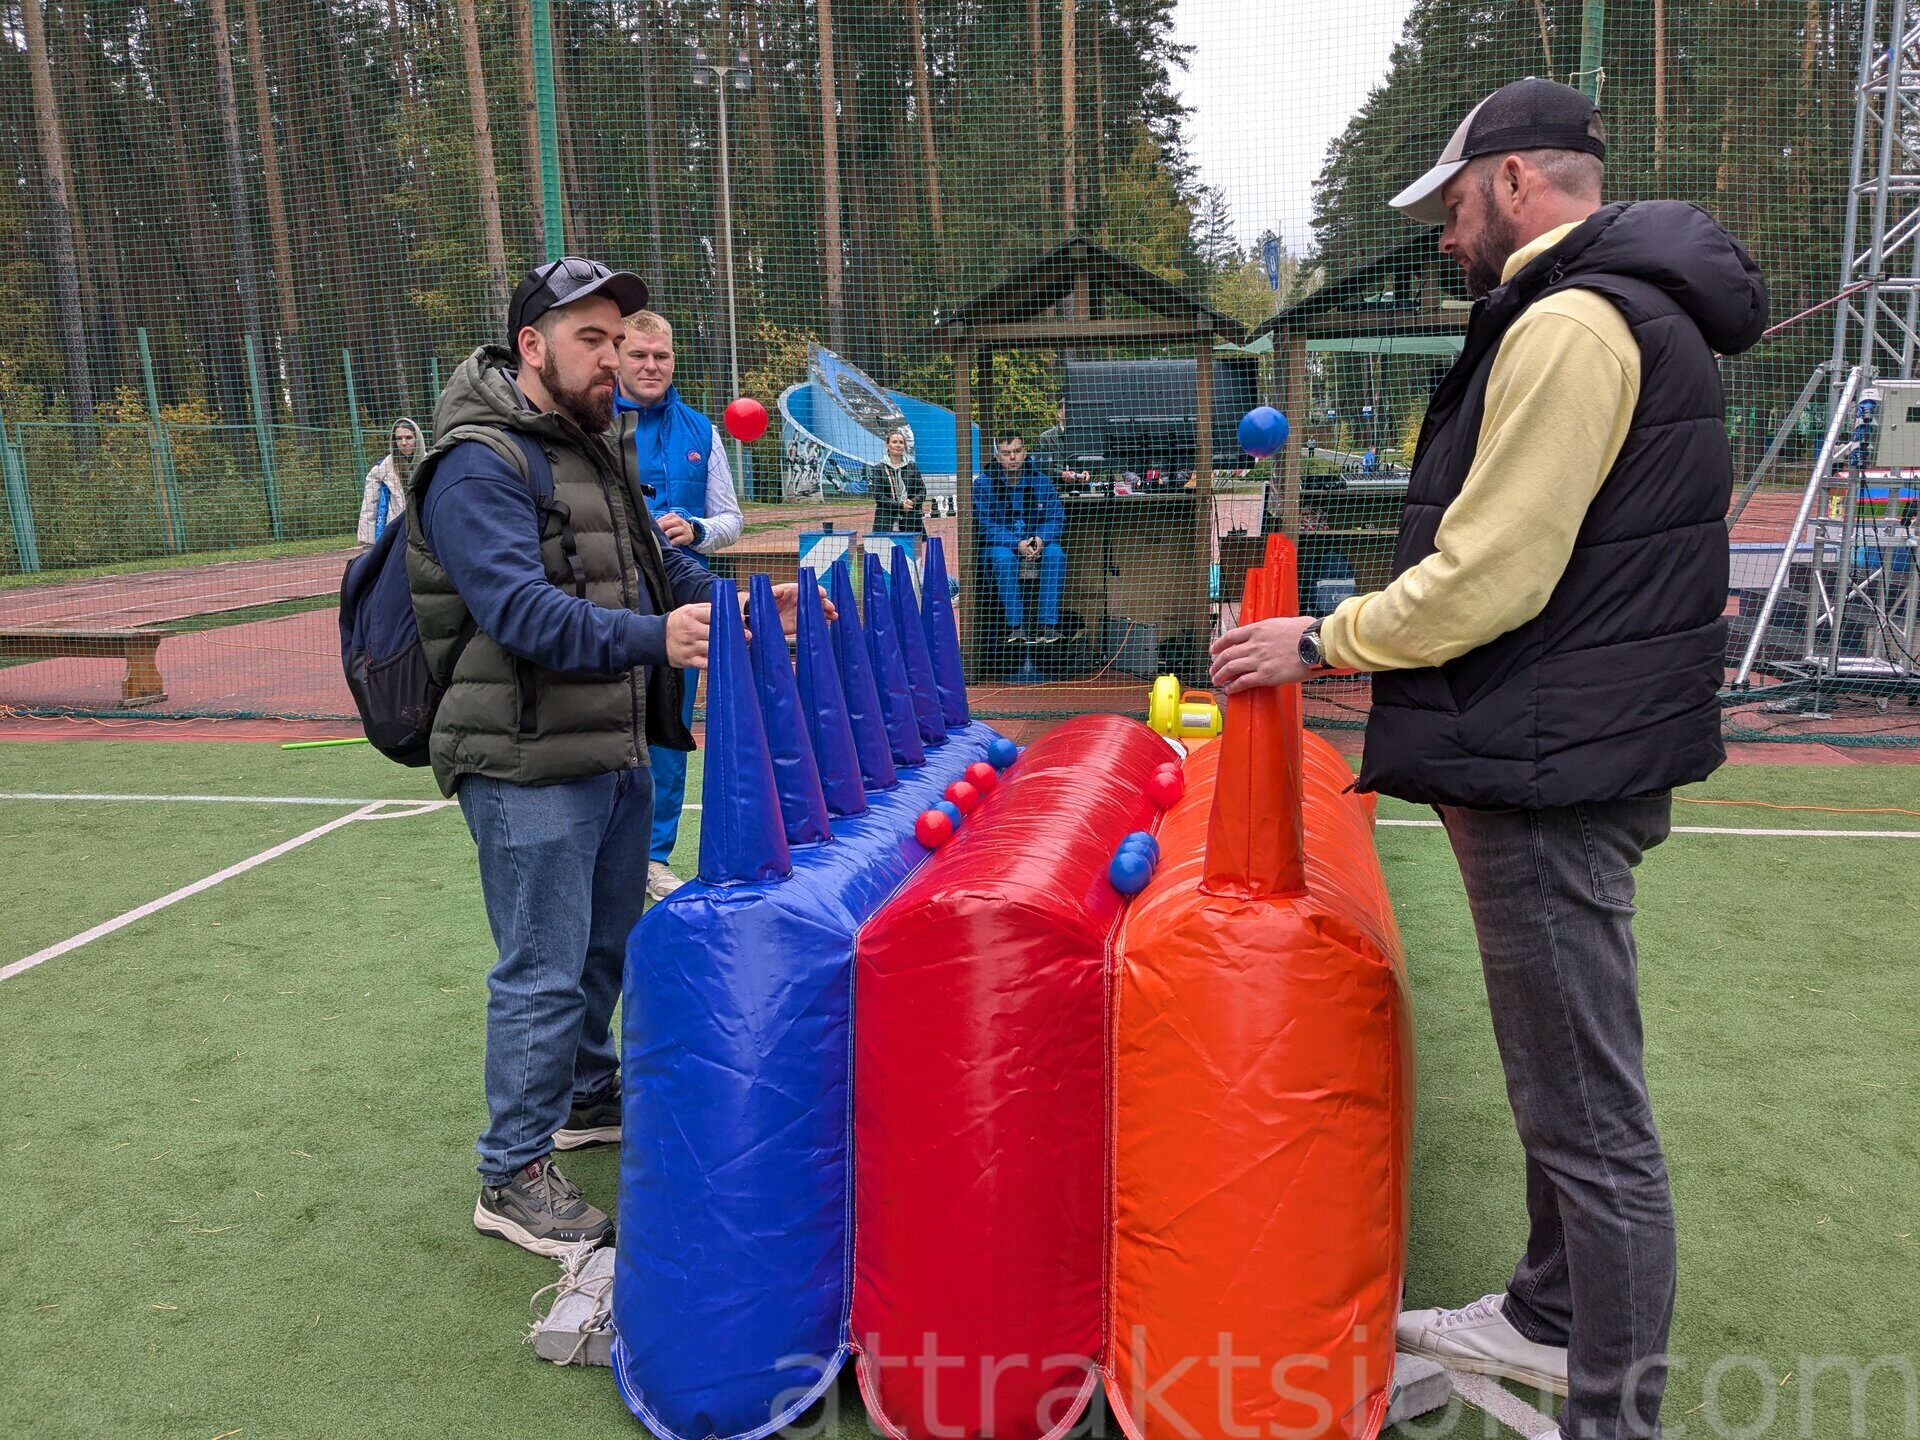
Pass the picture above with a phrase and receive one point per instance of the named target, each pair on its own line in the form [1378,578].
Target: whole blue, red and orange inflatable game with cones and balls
[1009,1074]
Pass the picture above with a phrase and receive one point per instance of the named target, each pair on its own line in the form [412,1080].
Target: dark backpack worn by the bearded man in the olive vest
[381,646]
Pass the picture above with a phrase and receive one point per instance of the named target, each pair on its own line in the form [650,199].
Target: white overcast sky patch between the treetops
[1270,85]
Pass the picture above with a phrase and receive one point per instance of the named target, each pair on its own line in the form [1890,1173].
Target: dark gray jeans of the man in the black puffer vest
[1552,896]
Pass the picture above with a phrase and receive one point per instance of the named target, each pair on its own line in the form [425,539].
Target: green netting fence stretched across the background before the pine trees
[241,239]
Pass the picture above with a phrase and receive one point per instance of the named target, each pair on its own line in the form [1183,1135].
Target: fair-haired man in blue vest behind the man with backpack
[681,454]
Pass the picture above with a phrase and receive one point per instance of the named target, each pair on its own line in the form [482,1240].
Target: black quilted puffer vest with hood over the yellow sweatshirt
[1614,688]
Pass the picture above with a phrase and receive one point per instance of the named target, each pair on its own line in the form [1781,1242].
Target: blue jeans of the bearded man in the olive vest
[564,871]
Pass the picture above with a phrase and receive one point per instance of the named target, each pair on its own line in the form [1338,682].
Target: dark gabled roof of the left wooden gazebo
[1015,308]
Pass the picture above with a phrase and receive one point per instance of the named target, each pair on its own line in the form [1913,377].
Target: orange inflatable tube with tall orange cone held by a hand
[1262,1105]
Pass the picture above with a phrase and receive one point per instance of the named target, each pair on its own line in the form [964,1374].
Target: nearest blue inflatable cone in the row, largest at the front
[742,834]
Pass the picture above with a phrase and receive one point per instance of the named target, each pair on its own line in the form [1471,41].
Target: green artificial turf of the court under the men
[239,1134]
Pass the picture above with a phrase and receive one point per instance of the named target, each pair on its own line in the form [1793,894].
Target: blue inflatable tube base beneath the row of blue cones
[732,1280]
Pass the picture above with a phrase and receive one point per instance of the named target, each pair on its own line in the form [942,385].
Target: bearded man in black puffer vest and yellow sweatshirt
[1547,671]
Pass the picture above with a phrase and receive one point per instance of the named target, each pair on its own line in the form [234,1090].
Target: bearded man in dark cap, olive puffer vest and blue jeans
[558,623]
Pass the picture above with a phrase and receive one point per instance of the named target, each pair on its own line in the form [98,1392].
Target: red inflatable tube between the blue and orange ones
[980,1101]
